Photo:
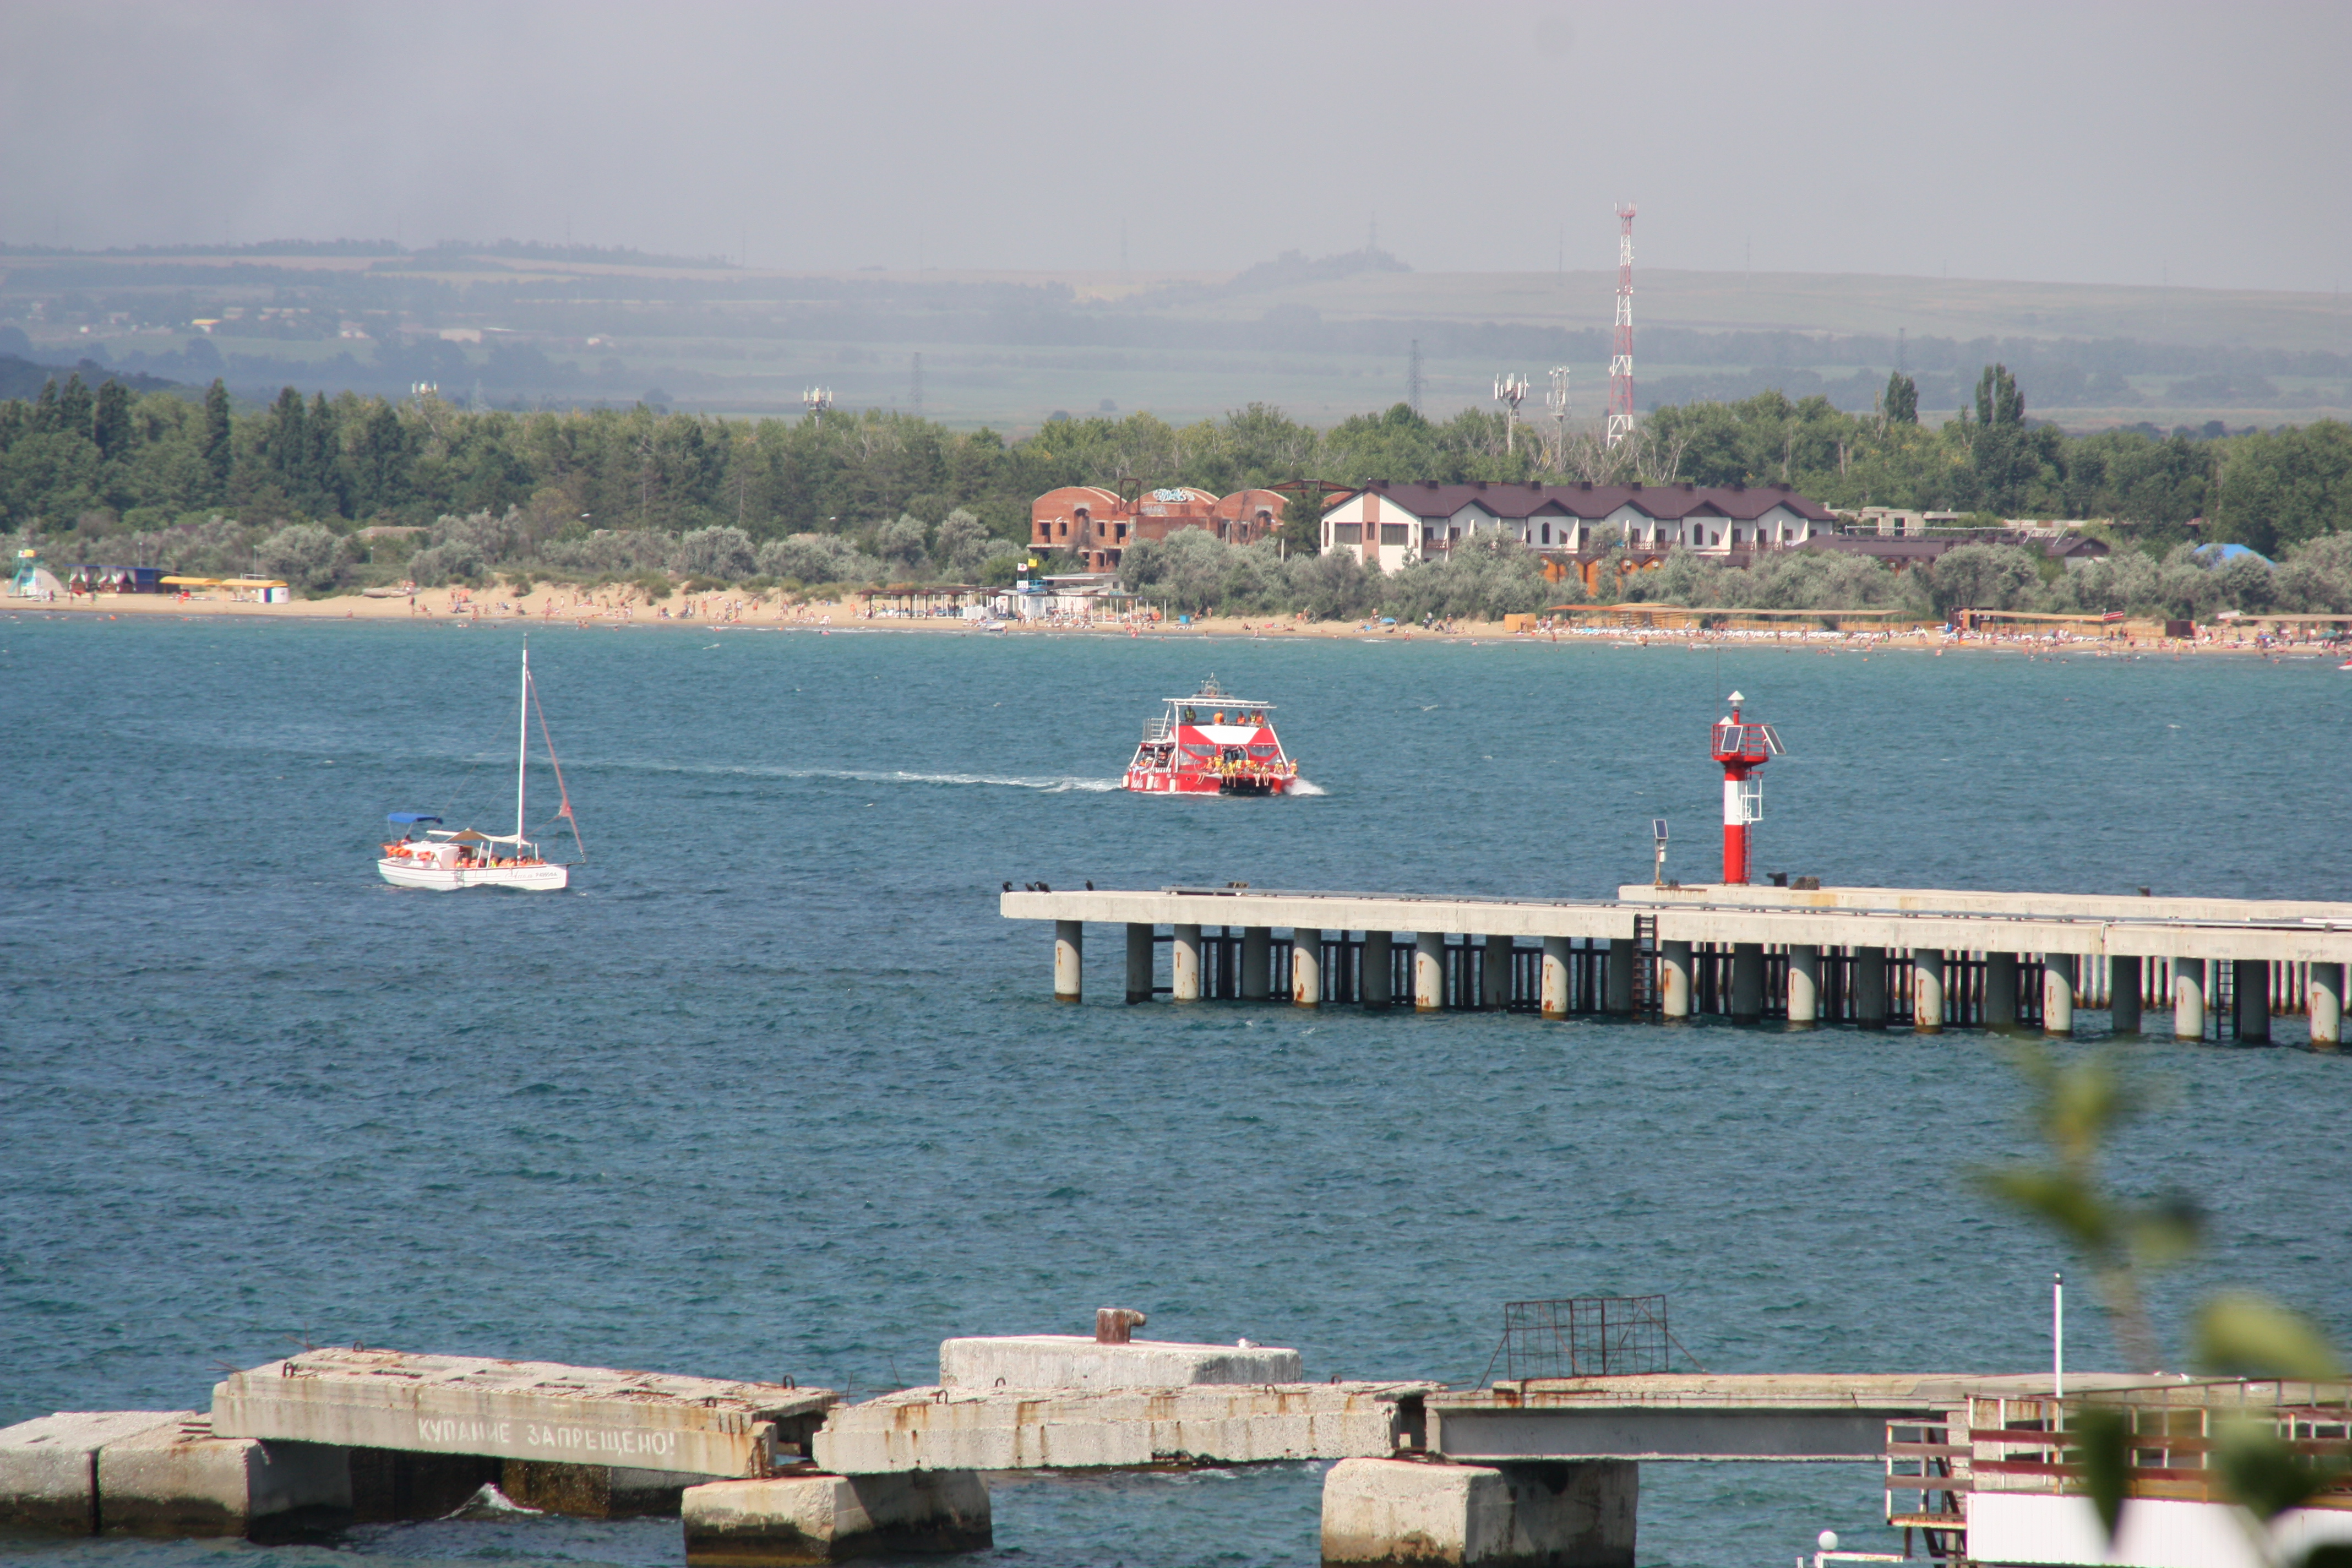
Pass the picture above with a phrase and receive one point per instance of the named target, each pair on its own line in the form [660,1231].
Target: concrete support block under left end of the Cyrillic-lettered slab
[182,1480]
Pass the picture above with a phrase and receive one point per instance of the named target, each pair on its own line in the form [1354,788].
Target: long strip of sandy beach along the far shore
[606,610]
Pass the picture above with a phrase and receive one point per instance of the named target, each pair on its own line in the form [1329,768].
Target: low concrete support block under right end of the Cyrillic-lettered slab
[824,1520]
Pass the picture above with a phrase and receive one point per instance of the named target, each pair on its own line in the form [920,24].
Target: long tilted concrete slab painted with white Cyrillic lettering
[521,1412]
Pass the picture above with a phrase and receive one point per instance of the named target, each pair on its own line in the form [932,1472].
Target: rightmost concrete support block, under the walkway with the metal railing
[1478,1515]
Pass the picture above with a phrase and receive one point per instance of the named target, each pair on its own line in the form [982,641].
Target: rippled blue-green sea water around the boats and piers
[775,1092]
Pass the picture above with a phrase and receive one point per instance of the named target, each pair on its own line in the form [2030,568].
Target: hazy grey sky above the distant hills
[2045,142]
